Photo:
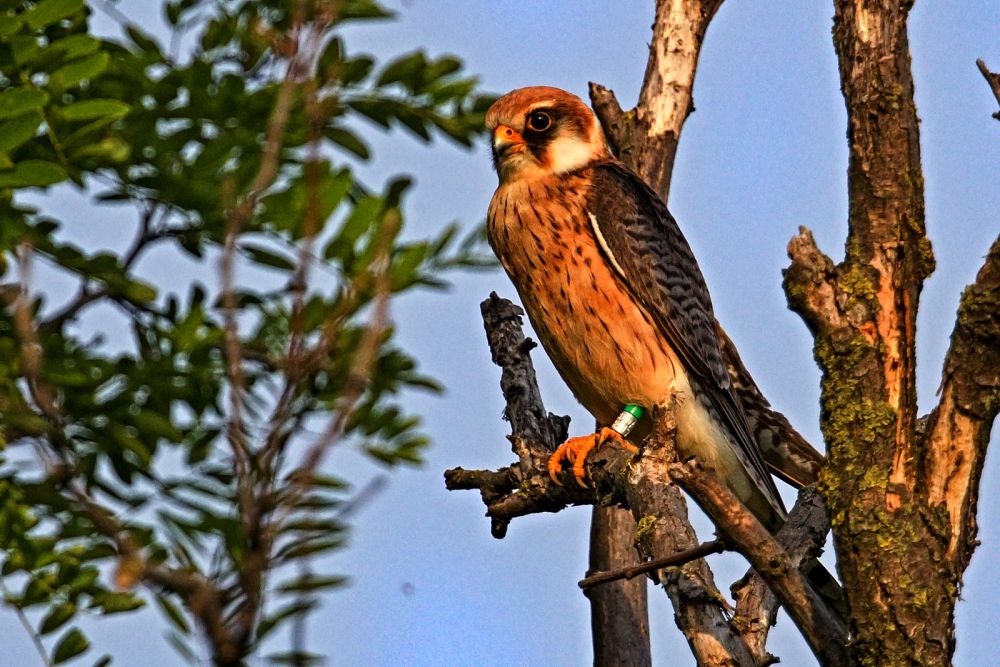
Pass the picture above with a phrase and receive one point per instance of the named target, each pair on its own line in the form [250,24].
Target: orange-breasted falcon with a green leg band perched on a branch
[616,297]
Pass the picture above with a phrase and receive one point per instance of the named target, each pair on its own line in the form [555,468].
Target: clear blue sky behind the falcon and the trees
[764,153]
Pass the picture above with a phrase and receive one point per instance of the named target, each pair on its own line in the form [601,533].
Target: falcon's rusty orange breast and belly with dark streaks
[601,340]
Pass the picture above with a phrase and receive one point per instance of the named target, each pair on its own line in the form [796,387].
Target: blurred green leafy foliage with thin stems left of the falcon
[187,458]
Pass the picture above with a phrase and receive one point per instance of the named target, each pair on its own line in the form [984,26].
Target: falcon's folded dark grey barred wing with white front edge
[649,252]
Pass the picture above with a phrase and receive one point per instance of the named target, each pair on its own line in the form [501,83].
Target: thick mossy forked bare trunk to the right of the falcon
[902,502]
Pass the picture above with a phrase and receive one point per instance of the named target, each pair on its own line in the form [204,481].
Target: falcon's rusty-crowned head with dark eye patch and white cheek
[542,131]
